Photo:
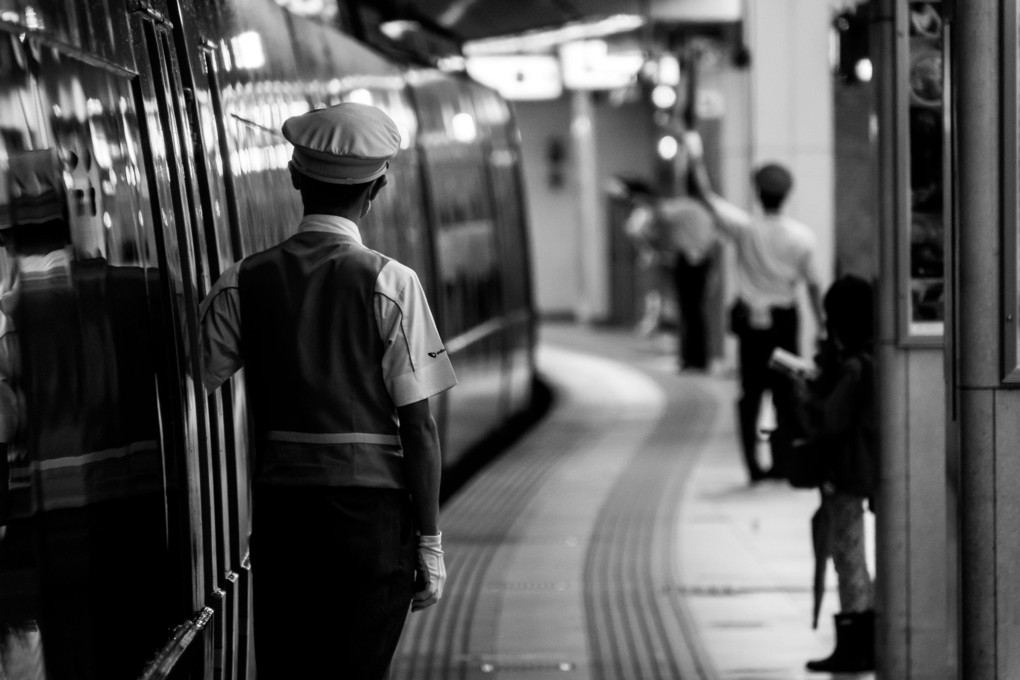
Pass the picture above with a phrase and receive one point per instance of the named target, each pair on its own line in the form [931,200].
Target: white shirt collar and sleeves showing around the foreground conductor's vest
[416,364]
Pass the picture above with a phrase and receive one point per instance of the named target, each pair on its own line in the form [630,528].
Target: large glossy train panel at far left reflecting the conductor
[83,495]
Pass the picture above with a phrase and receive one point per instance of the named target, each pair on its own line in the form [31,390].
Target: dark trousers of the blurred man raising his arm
[756,378]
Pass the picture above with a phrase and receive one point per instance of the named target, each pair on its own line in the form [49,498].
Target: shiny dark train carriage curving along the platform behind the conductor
[141,155]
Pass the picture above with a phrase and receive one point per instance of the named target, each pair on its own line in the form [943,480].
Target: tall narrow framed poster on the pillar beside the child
[924,266]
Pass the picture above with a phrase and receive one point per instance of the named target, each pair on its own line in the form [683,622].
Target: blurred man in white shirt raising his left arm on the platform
[775,253]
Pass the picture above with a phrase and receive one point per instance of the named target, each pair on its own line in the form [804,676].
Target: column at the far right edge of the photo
[989,422]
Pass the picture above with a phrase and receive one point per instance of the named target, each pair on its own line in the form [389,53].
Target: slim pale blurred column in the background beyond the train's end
[593,272]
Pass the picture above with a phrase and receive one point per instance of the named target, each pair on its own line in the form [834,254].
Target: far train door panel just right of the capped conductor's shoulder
[468,269]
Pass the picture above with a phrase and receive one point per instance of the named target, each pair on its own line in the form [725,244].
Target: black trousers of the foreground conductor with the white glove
[333,576]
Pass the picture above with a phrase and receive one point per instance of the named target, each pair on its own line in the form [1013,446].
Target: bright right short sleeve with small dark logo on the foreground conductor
[416,363]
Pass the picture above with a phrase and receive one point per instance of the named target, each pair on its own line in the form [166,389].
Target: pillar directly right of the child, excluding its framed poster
[913,579]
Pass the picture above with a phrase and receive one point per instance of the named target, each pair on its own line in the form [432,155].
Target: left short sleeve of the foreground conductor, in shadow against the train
[221,315]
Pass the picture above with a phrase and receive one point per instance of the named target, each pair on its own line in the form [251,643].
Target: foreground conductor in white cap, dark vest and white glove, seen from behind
[341,355]
